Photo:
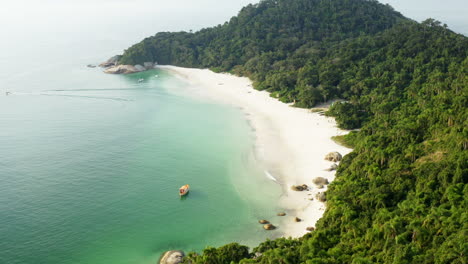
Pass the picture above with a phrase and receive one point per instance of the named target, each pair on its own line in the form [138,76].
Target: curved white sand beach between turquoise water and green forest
[290,142]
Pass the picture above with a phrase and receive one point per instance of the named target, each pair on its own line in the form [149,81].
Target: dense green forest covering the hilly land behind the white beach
[401,196]
